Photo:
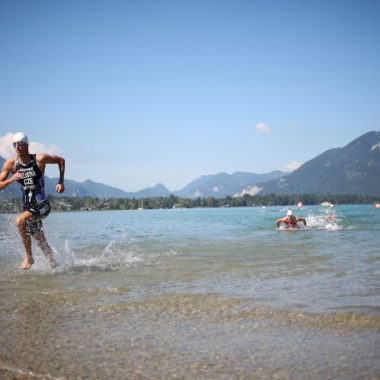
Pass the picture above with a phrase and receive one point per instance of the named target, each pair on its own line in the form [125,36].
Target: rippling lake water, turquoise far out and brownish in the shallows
[194,294]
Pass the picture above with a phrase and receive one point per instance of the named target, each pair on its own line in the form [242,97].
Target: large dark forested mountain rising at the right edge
[353,169]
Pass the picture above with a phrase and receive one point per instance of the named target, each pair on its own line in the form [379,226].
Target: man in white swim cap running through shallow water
[28,170]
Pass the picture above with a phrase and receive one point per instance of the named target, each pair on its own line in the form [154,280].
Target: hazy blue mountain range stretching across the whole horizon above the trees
[353,169]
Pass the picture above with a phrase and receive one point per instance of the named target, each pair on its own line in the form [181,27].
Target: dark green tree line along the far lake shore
[92,204]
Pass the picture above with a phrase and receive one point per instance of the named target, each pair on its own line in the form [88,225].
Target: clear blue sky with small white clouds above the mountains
[133,93]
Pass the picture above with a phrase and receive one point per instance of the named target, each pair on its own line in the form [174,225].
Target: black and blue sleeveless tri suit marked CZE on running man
[33,191]
